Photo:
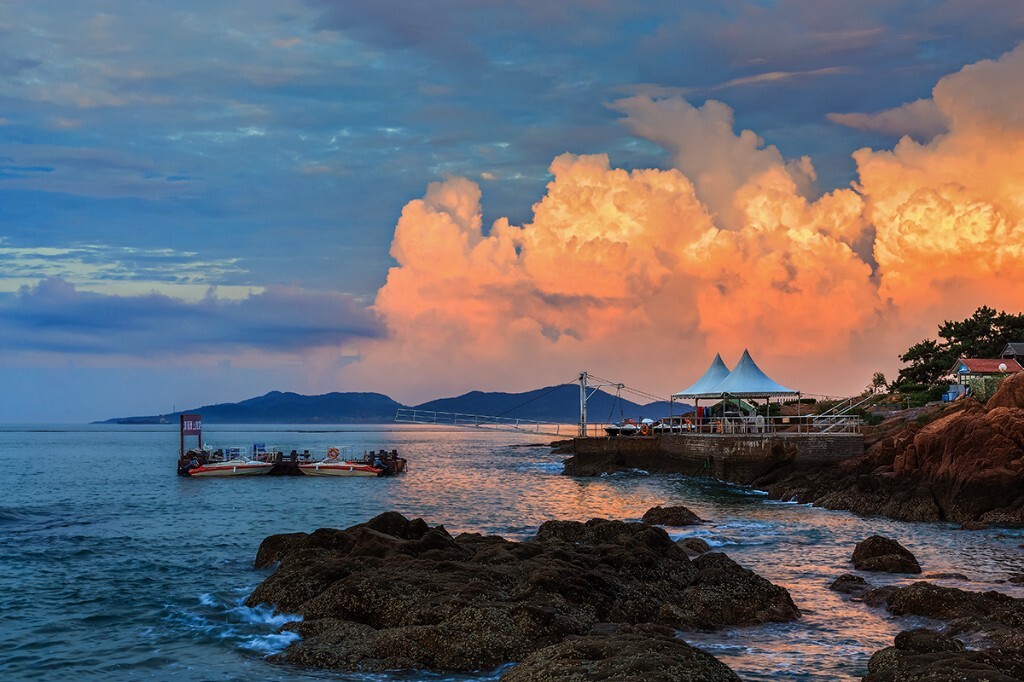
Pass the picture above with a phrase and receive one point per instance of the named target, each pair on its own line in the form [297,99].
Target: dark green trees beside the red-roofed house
[985,334]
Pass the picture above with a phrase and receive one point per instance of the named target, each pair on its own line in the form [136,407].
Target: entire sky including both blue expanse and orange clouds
[204,202]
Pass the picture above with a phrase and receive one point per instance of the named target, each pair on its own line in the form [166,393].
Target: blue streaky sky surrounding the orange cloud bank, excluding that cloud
[198,200]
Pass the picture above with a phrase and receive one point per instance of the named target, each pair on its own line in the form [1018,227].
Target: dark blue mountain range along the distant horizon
[553,404]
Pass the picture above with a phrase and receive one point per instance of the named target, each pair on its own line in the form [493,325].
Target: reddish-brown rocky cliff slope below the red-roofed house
[966,466]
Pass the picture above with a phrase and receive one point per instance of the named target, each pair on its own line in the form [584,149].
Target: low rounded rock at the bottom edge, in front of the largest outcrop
[636,655]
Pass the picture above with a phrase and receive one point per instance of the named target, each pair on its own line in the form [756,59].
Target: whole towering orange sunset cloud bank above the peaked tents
[643,275]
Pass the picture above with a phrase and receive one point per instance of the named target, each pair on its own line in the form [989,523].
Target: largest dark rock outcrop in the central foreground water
[395,594]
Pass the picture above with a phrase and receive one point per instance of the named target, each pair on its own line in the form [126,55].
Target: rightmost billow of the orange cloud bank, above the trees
[950,215]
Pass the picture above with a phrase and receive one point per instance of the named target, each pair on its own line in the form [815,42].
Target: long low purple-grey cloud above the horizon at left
[54,317]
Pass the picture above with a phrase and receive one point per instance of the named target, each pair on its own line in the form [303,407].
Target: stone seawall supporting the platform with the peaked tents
[741,459]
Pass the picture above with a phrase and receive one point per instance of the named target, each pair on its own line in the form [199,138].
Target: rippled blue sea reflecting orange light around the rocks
[113,568]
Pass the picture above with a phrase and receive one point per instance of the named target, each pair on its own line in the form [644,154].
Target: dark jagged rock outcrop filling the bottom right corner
[927,655]
